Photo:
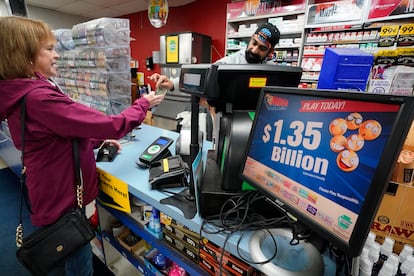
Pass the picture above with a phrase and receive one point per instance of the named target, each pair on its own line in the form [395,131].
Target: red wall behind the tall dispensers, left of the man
[207,17]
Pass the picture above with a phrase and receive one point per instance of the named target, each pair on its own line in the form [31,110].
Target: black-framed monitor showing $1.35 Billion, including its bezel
[326,156]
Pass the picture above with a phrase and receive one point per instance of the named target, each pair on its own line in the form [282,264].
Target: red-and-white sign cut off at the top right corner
[390,9]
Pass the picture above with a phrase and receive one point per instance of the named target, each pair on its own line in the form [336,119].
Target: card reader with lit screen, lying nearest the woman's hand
[156,151]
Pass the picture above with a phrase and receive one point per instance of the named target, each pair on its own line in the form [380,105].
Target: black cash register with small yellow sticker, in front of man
[233,90]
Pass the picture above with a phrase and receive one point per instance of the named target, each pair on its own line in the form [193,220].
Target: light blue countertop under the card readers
[125,169]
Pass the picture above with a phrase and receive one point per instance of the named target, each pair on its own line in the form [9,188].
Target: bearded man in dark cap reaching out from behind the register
[260,48]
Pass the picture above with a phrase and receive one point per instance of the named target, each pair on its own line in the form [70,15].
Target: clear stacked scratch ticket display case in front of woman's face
[94,63]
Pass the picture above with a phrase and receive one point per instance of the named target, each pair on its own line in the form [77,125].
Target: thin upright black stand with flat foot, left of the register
[185,200]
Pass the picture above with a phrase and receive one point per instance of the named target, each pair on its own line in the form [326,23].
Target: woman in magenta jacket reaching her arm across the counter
[27,65]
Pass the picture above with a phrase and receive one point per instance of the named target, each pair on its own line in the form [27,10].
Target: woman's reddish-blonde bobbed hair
[20,43]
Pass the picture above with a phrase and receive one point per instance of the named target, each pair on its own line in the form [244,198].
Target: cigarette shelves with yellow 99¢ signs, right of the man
[345,28]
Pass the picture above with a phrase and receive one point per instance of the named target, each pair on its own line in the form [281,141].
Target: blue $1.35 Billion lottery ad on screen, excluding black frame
[319,155]
